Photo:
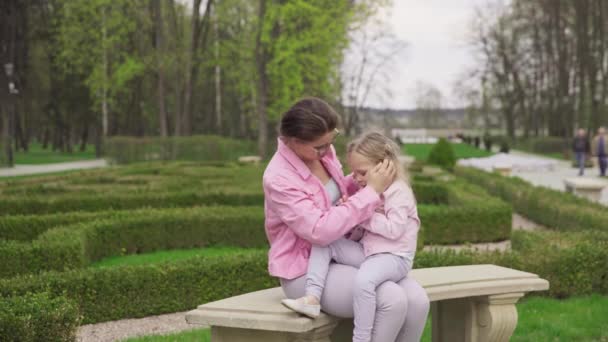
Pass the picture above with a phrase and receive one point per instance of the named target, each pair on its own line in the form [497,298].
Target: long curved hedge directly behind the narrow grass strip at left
[142,231]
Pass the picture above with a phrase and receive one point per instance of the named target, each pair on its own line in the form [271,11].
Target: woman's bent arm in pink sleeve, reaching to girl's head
[300,213]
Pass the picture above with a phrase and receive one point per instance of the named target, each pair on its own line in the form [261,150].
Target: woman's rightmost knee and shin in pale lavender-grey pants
[417,311]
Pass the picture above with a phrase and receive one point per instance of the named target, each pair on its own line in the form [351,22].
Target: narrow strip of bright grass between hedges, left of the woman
[164,256]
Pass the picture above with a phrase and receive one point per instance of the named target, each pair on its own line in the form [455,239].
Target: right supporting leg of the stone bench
[475,319]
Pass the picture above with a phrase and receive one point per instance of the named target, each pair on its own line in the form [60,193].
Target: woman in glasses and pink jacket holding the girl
[298,182]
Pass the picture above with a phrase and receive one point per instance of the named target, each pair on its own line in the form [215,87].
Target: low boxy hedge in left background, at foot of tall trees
[123,150]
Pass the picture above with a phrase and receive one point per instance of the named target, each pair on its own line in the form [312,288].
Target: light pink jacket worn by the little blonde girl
[395,230]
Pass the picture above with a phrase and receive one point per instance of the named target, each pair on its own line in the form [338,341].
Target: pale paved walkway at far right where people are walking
[555,179]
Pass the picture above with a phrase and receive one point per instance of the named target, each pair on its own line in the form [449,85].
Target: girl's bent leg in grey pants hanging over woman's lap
[376,270]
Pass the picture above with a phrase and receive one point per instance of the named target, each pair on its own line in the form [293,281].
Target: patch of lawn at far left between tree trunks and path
[37,155]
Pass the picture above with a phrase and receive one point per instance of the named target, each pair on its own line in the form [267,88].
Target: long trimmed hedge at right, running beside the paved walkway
[551,208]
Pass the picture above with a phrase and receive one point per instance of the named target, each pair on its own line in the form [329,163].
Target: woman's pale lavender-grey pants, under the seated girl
[401,307]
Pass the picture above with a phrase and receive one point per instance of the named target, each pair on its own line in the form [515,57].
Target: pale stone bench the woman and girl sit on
[468,303]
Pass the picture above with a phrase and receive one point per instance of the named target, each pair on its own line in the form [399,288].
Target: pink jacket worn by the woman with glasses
[298,211]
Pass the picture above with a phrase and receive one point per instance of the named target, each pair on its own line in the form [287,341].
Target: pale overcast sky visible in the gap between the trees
[435,32]
